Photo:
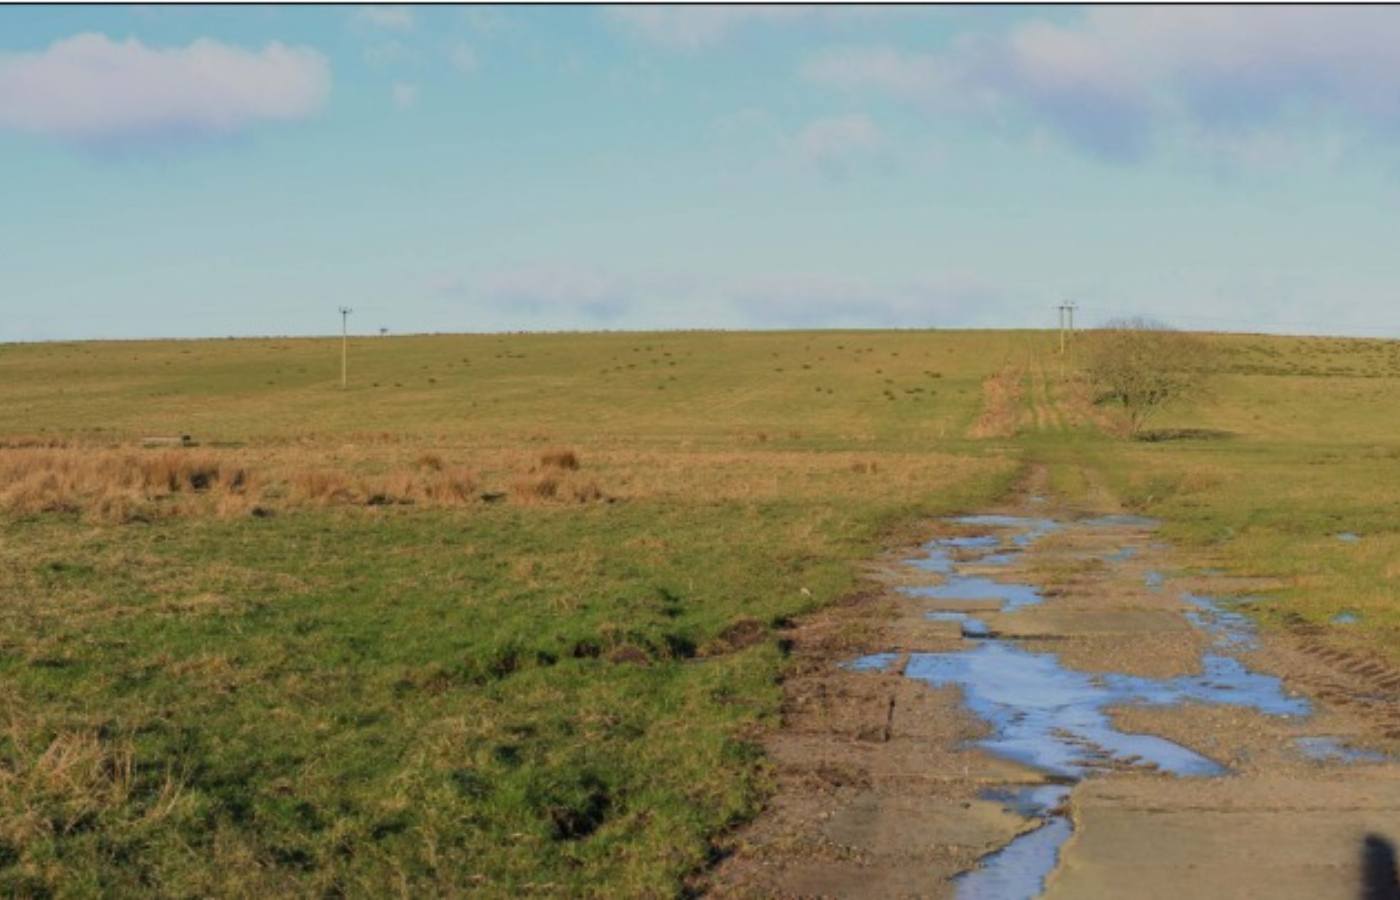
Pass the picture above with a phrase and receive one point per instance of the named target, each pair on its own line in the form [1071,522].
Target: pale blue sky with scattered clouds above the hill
[215,171]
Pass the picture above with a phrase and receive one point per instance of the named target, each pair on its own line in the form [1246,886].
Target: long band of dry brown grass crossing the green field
[124,485]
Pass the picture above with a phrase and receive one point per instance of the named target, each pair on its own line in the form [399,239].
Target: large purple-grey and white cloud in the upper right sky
[1118,78]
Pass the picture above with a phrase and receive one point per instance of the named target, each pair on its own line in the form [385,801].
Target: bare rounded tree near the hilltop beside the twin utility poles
[1143,366]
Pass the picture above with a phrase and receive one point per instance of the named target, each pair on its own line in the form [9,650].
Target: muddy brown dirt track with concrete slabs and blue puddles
[888,785]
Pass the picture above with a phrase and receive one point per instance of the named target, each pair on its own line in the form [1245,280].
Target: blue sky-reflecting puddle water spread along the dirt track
[1056,720]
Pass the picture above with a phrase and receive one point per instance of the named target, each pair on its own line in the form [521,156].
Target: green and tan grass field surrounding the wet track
[279,688]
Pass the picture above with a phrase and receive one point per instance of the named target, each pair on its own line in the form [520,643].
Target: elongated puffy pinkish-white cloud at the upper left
[96,92]
